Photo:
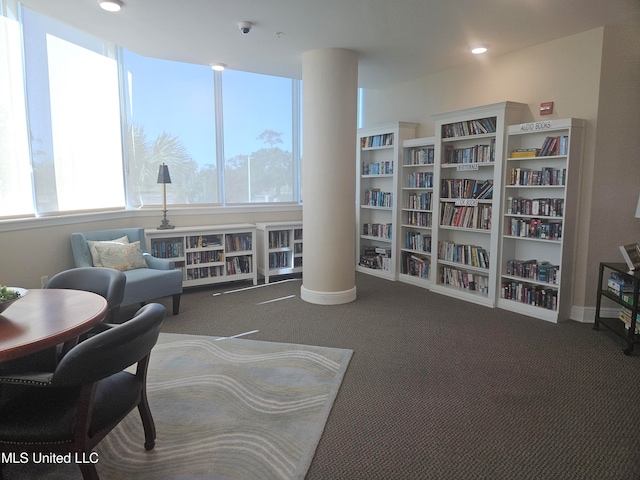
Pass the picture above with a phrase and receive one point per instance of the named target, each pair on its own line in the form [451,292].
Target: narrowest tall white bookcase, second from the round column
[416,211]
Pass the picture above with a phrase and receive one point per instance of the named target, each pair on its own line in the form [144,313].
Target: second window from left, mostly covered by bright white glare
[74,118]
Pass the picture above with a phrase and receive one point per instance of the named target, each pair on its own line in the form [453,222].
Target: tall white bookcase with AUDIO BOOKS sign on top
[541,175]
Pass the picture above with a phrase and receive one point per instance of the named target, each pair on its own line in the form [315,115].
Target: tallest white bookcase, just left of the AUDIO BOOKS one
[468,183]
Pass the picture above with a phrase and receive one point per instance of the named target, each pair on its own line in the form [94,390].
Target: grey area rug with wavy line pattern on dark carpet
[224,409]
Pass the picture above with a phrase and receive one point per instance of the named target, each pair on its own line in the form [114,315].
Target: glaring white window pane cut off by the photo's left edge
[16,194]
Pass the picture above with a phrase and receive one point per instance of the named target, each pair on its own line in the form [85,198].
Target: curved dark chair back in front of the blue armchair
[106,282]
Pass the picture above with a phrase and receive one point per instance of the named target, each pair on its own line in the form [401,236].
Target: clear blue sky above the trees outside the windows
[178,98]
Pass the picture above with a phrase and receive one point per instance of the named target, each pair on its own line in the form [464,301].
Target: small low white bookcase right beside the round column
[279,248]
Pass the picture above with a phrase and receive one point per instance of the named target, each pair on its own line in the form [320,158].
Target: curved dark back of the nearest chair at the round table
[112,350]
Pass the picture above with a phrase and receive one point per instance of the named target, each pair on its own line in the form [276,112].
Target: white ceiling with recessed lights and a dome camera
[396,40]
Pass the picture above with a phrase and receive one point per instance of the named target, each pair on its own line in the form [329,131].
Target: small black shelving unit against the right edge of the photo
[614,324]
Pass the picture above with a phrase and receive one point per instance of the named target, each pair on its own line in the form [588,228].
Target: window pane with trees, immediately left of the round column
[258,138]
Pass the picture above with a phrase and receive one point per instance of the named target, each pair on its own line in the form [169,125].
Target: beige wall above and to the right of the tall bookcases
[593,76]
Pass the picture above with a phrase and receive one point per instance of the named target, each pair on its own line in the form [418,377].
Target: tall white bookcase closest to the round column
[379,155]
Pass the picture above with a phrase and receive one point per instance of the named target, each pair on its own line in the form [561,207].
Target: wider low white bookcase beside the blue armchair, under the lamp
[209,254]
